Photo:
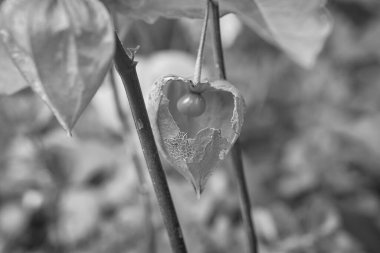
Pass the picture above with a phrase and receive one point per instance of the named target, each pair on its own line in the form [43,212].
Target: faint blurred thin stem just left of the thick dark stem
[145,194]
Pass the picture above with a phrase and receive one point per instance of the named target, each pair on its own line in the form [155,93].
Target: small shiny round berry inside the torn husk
[191,104]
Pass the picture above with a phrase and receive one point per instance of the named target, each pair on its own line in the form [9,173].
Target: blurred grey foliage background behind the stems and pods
[311,149]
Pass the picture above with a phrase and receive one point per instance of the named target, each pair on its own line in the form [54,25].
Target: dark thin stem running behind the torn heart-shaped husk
[236,155]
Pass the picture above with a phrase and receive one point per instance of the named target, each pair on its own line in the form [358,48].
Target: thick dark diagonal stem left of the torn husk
[127,70]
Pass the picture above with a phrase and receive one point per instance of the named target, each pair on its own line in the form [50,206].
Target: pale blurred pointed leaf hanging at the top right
[299,27]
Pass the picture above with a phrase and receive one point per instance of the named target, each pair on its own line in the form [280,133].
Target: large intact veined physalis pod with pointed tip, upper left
[68,47]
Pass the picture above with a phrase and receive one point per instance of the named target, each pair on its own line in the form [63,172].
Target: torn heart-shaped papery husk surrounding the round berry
[194,145]
